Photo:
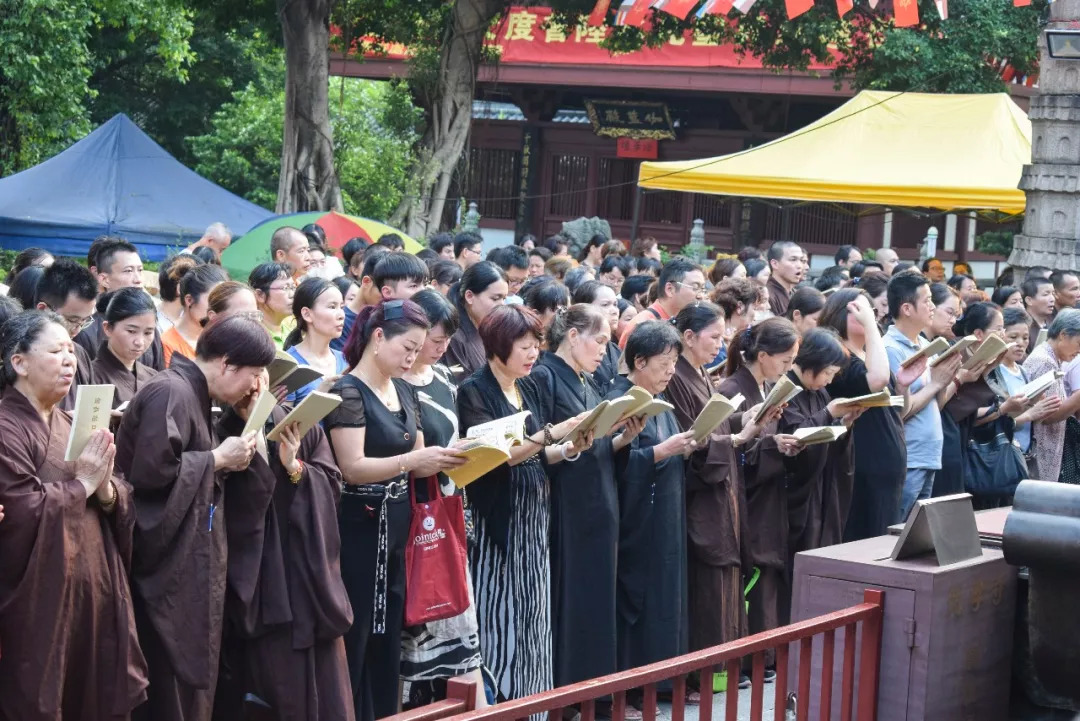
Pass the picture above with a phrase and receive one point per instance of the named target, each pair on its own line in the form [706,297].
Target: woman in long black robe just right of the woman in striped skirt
[585,502]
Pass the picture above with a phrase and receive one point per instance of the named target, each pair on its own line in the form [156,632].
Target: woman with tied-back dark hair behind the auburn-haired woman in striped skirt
[482,289]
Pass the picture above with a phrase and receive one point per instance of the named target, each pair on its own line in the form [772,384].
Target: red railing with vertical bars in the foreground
[868,615]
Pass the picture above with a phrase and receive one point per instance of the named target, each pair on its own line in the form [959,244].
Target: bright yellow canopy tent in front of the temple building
[880,148]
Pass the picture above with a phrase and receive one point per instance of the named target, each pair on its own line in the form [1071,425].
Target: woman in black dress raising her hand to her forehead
[881,456]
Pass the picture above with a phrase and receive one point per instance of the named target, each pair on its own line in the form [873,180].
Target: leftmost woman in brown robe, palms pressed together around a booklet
[70,644]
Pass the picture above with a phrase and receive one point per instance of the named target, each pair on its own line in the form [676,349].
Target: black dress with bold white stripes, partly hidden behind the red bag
[449,648]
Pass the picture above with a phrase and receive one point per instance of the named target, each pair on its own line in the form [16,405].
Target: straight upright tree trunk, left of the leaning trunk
[308,180]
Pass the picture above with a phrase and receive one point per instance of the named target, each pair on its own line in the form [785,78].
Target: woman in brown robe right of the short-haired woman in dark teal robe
[715,499]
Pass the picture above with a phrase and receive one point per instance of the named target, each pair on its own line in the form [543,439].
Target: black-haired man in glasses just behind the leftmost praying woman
[70,290]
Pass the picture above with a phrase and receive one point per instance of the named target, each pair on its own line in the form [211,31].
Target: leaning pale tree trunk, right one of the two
[448,107]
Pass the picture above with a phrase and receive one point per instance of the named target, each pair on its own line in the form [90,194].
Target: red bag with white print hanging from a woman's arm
[436,582]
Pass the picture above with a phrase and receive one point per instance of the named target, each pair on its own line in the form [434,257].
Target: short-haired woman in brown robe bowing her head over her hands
[169,452]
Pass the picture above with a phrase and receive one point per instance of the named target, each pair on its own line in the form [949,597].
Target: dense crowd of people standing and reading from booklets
[182,569]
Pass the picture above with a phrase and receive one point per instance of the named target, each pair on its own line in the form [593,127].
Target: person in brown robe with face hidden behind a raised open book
[287,608]
